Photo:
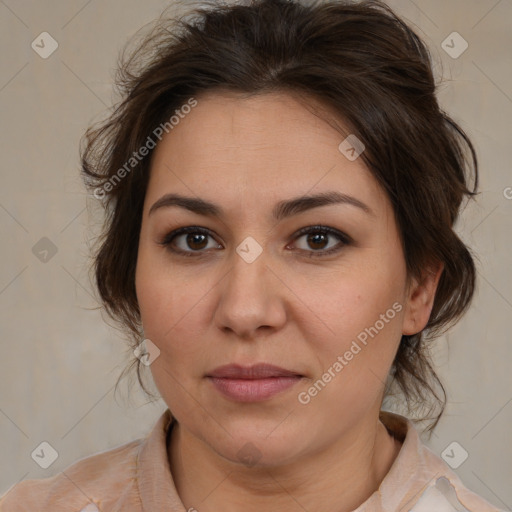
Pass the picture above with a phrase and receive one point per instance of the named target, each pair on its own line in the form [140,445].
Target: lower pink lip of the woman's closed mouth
[253,390]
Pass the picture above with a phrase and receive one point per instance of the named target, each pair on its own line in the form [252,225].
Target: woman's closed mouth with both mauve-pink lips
[254,383]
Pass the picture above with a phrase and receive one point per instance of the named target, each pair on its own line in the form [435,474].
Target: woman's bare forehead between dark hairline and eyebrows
[269,146]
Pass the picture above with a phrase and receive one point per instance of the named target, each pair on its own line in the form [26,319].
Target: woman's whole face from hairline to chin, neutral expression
[245,288]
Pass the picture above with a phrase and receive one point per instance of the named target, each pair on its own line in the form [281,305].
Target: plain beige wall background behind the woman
[60,360]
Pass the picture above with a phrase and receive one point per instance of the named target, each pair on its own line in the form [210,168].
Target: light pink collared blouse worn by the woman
[136,477]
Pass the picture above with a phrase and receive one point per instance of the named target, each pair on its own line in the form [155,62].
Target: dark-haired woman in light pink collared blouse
[281,188]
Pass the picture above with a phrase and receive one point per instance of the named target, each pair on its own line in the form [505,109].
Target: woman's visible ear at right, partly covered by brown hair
[420,299]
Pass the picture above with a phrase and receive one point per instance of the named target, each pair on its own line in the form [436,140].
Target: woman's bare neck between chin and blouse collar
[341,477]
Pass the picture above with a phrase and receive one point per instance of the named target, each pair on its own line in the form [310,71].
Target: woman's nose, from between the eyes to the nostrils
[251,299]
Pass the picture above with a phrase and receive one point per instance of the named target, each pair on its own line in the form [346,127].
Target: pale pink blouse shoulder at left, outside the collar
[109,474]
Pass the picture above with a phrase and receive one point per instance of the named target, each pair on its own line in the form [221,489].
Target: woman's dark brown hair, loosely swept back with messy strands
[371,72]
